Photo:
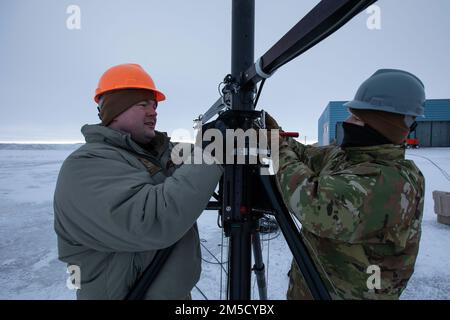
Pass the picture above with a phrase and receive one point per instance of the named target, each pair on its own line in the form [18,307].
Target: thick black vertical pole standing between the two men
[235,176]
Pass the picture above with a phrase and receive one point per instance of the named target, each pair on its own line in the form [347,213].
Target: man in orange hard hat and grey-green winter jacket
[119,199]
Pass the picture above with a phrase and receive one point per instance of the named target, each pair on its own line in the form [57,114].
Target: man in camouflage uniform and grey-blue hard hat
[361,203]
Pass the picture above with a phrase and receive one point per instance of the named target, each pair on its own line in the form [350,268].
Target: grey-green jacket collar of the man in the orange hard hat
[120,139]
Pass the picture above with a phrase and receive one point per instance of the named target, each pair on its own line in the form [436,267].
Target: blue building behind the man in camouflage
[433,130]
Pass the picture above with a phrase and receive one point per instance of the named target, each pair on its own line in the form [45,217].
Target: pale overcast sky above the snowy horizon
[48,73]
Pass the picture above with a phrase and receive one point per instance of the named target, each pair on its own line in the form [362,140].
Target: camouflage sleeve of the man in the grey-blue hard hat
[353,203]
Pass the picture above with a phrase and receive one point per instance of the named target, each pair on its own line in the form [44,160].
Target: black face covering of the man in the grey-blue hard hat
[361,136]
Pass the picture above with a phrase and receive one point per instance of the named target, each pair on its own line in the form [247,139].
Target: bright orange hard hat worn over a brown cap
[126,76]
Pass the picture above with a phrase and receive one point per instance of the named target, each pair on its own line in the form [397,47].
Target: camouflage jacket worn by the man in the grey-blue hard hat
[361,210]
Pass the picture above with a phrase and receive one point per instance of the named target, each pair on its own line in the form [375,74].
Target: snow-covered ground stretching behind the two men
[29,268]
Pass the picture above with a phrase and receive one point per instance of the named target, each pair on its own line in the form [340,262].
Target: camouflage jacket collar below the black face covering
[379,152]
